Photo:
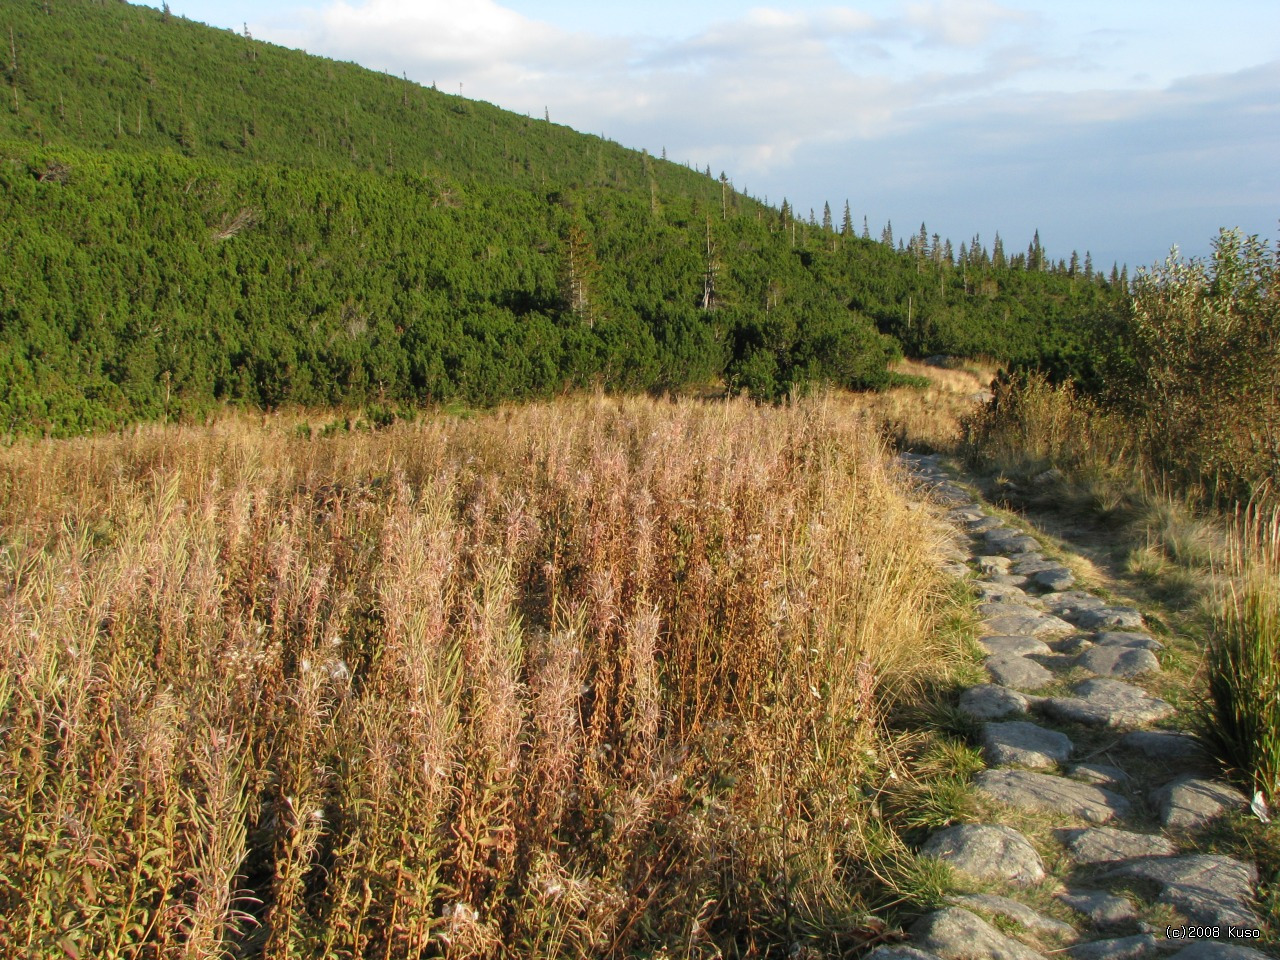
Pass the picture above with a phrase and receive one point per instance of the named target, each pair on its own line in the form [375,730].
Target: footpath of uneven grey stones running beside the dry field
[1089,660]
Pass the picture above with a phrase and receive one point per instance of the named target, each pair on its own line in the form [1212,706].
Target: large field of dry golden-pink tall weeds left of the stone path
[586,679]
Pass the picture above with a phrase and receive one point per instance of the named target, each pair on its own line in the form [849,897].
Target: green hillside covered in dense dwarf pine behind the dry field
[190,218]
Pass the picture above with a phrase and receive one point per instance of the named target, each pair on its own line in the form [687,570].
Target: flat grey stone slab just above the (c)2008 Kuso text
[1206,889]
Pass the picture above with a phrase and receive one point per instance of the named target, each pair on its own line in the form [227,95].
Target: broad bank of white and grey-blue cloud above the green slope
[940,106]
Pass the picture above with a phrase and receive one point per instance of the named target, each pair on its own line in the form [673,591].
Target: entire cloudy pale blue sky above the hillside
[1118,127]
